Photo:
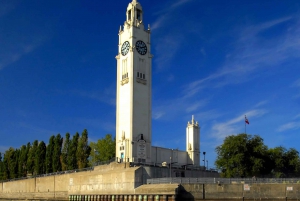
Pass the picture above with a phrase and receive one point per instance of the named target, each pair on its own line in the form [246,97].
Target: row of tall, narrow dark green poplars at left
[38,158]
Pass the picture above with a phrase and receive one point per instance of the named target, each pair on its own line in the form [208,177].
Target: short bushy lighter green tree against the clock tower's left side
[103,150]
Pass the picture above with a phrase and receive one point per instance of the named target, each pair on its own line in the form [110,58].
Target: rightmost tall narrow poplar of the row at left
[83,150]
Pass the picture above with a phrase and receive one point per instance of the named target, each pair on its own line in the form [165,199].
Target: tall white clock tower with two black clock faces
[133,97]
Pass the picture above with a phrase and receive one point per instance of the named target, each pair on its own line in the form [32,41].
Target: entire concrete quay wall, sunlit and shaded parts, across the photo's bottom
[124,180]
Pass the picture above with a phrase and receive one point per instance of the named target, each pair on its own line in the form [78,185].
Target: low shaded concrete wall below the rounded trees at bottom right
[238,192]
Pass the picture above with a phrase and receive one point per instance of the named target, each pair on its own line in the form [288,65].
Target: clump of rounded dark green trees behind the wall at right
[247,156]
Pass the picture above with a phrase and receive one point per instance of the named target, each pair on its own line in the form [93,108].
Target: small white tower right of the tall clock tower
[193,142]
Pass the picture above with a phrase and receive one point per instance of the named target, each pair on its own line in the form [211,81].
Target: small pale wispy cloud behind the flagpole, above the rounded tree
[232,126]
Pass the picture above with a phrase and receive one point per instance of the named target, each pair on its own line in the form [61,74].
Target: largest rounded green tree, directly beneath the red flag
[242,155]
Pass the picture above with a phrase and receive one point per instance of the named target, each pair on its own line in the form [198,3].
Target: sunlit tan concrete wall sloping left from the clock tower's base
[106,179]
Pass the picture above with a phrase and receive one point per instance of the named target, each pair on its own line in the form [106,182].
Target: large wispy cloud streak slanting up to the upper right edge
[251,54]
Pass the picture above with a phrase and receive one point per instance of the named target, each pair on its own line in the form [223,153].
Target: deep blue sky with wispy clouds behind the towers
[218,60]
